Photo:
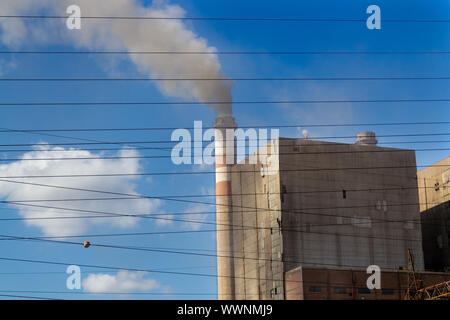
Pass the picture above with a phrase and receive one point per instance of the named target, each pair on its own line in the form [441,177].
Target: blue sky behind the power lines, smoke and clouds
[225,36]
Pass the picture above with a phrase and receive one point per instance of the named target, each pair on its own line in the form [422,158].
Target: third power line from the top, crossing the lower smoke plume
[222,79]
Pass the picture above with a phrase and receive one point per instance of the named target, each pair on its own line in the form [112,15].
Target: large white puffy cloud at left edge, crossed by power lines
[119,184]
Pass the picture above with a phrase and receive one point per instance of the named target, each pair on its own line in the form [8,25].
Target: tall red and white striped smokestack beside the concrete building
[225,156]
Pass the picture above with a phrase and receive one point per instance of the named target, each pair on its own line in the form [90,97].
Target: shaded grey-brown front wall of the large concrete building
[376,222]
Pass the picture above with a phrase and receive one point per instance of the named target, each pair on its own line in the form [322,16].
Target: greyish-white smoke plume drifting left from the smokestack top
[127,35]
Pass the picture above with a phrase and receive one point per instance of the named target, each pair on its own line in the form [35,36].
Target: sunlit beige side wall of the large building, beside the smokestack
[256,235]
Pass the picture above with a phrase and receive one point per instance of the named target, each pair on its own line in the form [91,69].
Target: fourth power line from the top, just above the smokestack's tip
[195,103]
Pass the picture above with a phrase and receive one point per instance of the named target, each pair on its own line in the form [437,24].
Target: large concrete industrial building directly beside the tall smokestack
[316,204]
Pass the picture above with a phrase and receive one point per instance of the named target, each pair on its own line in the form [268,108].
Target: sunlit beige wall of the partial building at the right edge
[434,184]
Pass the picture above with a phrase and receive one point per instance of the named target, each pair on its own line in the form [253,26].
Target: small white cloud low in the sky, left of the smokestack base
[122,282]
